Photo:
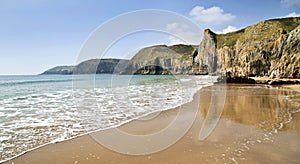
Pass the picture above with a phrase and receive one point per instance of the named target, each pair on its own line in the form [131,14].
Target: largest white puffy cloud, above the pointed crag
[213,15]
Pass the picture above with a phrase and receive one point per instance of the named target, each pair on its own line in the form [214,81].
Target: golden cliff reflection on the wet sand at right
[260,106]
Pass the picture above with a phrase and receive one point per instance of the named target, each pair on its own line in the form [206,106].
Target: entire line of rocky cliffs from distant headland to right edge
[270,48]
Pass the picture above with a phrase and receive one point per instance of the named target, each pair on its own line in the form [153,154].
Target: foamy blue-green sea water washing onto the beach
[42,109]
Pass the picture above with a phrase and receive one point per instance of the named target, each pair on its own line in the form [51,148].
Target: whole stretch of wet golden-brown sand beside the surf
[258,124]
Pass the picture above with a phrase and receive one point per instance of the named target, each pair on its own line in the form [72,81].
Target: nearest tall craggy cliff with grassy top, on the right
[269,48]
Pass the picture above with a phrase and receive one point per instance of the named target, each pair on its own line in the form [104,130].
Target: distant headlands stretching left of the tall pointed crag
[160,59]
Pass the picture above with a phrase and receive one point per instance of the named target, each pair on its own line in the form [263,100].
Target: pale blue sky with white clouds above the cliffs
[36,35]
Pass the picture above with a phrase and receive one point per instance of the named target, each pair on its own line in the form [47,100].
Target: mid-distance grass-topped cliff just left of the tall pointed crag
[177,59]
